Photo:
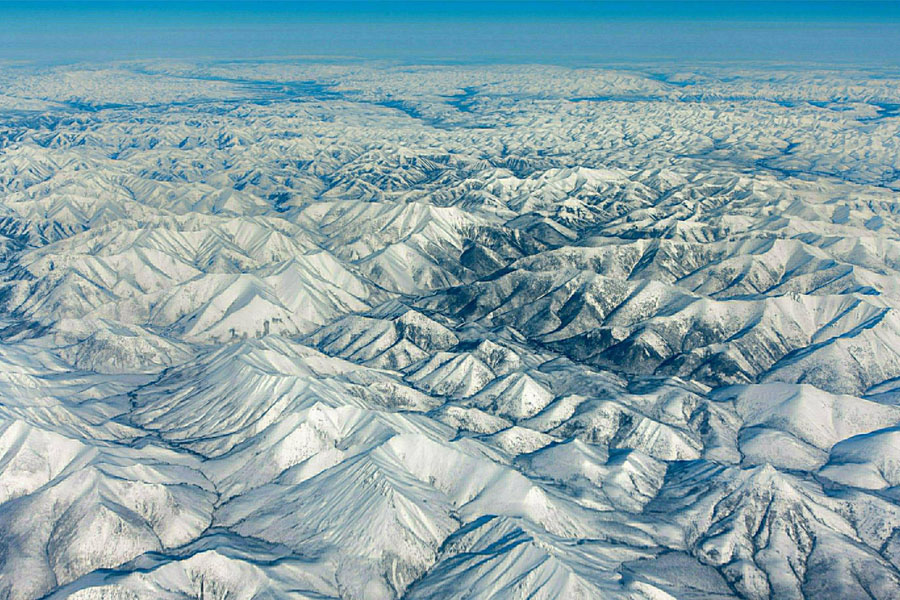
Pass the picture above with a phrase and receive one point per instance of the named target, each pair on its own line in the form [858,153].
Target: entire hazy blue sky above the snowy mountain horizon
[456,31]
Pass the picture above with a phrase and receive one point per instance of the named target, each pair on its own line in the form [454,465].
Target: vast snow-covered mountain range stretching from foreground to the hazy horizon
[308,330]
